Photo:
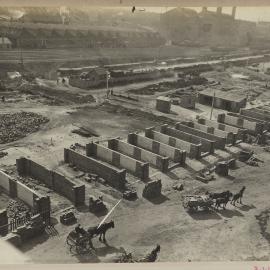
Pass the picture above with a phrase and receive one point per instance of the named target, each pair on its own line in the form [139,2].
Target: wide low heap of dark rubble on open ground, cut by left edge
[18,125]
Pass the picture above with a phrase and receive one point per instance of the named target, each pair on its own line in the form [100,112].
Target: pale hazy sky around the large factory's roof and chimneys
[244,13]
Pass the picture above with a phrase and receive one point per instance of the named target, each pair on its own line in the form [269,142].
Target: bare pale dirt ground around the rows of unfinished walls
[237,233]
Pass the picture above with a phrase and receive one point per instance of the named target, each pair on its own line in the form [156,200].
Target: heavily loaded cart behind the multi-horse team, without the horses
[197,202]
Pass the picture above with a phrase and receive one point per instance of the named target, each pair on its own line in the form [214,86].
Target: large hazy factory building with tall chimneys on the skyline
[187,27]
